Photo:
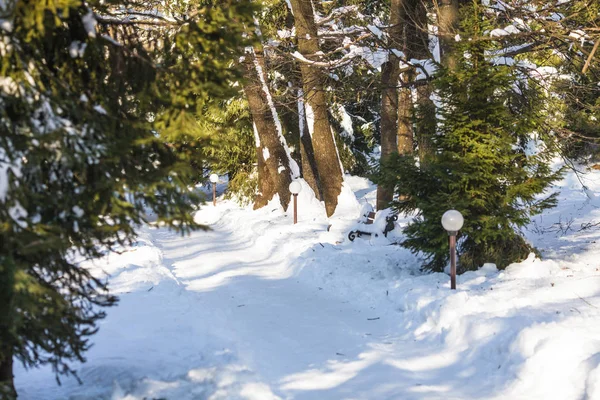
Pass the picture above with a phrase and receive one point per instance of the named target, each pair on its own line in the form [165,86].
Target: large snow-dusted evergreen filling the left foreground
[97,128]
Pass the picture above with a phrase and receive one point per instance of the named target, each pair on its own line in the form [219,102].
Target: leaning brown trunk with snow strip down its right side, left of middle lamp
[276,168]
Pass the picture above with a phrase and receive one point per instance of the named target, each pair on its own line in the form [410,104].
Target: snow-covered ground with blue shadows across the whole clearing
[259,308]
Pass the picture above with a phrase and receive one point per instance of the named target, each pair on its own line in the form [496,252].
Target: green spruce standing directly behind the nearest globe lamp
[483,164]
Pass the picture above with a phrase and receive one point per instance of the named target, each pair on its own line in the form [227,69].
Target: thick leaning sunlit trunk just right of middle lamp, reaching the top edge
[326,155]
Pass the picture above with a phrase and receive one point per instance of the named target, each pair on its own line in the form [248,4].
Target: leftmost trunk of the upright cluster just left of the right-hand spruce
[390,74]
